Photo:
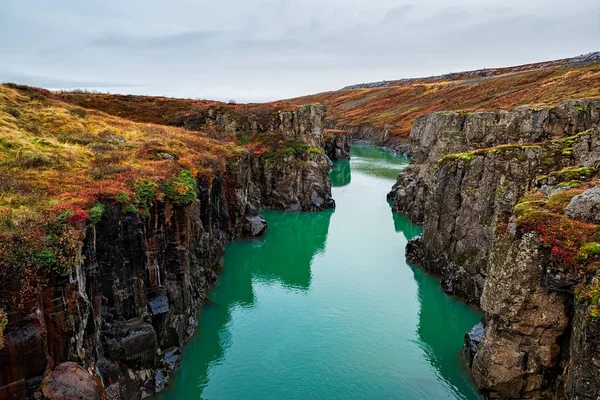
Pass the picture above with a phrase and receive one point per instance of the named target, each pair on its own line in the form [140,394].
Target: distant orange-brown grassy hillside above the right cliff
[396,107]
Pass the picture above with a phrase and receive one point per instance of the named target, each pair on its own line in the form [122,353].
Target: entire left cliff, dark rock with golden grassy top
[113,232]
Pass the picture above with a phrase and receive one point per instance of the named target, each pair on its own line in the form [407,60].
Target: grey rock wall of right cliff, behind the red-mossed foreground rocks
[459,188]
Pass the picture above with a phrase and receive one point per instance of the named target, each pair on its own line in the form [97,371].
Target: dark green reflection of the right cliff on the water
[443,321]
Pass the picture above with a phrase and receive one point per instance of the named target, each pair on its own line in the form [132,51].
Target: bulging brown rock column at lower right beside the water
[525,321]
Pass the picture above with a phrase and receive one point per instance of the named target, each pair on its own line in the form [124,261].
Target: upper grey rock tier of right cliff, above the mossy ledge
[436,135]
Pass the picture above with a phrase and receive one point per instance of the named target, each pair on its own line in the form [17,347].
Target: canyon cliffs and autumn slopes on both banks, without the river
[503,182]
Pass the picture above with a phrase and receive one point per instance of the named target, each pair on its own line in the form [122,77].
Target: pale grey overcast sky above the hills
[251,50]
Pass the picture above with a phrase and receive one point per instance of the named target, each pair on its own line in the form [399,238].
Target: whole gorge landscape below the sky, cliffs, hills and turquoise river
[424,238]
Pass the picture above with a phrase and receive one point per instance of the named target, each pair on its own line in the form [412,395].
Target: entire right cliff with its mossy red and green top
[509,204]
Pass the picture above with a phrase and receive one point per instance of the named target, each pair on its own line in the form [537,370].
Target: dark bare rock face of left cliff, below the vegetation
[115,325]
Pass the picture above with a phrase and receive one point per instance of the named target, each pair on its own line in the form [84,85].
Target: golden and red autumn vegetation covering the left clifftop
[62,162]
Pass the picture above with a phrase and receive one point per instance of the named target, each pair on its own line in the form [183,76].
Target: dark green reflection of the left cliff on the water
[282,257]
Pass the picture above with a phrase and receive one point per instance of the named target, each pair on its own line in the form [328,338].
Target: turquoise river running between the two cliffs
[325,307]
